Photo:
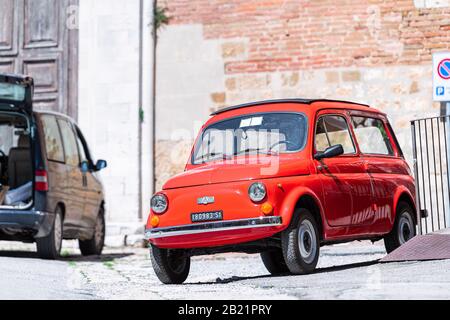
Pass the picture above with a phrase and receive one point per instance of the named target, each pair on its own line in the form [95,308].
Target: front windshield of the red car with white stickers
[268,133]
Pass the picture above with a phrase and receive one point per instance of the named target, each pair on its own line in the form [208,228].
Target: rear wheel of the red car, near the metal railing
[404,228]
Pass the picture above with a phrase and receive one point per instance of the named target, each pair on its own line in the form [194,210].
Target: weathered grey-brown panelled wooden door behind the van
[35,40]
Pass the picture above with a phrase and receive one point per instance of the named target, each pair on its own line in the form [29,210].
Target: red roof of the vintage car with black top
[314,103]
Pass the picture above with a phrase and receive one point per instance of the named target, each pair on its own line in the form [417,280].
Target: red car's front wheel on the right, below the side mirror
[301,243]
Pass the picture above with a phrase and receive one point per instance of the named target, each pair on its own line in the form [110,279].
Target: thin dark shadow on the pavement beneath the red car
[318,271]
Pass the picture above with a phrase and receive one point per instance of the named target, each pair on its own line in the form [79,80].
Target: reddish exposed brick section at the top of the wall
[290,35]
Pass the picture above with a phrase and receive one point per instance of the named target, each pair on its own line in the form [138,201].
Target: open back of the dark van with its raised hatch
[16,157]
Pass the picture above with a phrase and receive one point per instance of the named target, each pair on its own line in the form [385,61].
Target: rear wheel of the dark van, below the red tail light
[50,247]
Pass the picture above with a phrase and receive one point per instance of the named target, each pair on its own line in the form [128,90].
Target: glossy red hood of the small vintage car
[232,171]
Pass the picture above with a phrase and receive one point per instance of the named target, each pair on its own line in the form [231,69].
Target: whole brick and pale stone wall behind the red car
[217,53]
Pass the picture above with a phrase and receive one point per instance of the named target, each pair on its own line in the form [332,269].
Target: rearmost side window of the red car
[372,136]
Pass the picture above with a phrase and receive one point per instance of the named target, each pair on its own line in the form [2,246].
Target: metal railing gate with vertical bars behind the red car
[431,165]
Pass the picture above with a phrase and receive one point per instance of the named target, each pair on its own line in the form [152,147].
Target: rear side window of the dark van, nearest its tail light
[53,142]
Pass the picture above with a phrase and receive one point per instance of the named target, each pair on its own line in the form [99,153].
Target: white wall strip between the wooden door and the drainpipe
[109,100]
